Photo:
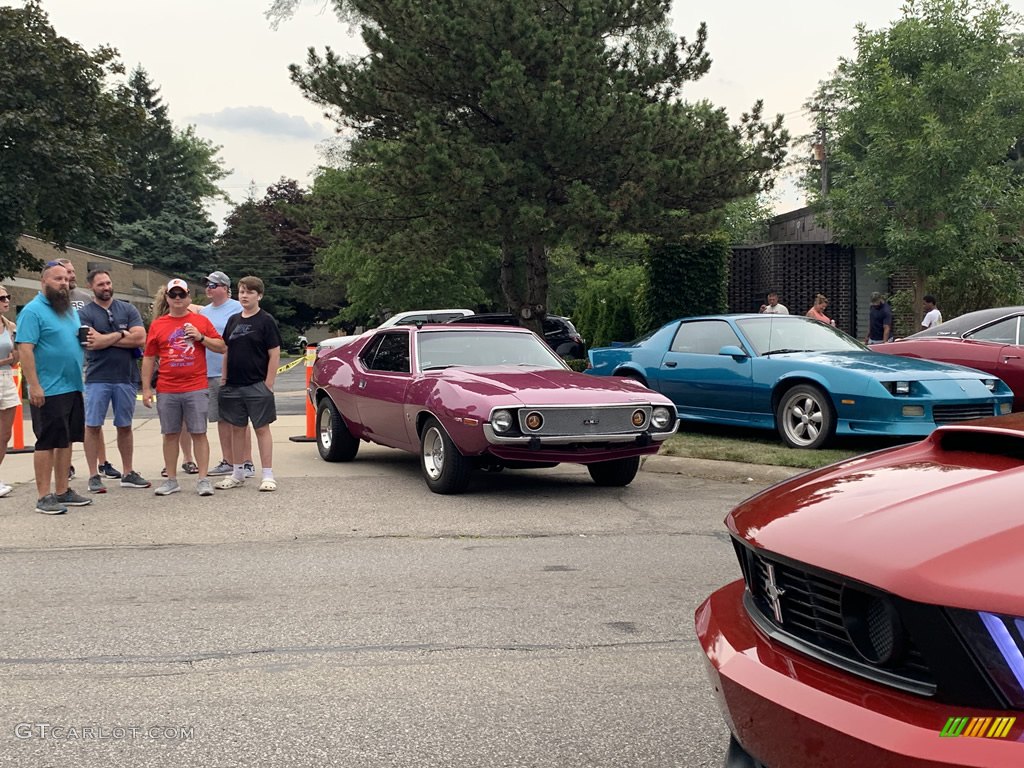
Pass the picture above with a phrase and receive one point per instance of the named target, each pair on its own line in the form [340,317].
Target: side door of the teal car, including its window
[701,380]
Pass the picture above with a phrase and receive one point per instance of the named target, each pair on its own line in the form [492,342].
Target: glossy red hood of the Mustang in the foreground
[944,528]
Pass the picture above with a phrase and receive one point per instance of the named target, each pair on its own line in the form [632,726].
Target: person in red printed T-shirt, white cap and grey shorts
[180,340]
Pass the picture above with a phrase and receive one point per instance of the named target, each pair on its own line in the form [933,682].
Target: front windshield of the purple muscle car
[438,350]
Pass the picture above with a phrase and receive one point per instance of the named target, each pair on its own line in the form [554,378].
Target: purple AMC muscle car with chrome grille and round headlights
[490,398]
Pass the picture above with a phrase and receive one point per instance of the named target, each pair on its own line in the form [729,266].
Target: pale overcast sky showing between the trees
[223,68]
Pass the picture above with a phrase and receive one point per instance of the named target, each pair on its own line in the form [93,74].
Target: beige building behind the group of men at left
[137,285]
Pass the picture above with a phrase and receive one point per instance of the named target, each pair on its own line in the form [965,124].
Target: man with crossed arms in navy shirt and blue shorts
[111,376]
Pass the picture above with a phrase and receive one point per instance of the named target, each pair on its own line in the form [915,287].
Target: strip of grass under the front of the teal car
[758,447]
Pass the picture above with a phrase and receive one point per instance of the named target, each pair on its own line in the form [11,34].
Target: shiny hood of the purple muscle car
[550,387]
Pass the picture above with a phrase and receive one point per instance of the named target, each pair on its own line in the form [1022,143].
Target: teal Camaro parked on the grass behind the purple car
[803,378]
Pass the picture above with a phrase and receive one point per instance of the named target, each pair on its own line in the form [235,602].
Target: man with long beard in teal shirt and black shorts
[52,360]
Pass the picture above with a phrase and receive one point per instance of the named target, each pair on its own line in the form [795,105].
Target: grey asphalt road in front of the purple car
[354,619]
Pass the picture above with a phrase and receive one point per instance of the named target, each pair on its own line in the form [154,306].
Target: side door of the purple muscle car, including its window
[382,381]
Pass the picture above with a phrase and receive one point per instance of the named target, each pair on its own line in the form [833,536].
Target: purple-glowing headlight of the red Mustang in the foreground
[998,643]
